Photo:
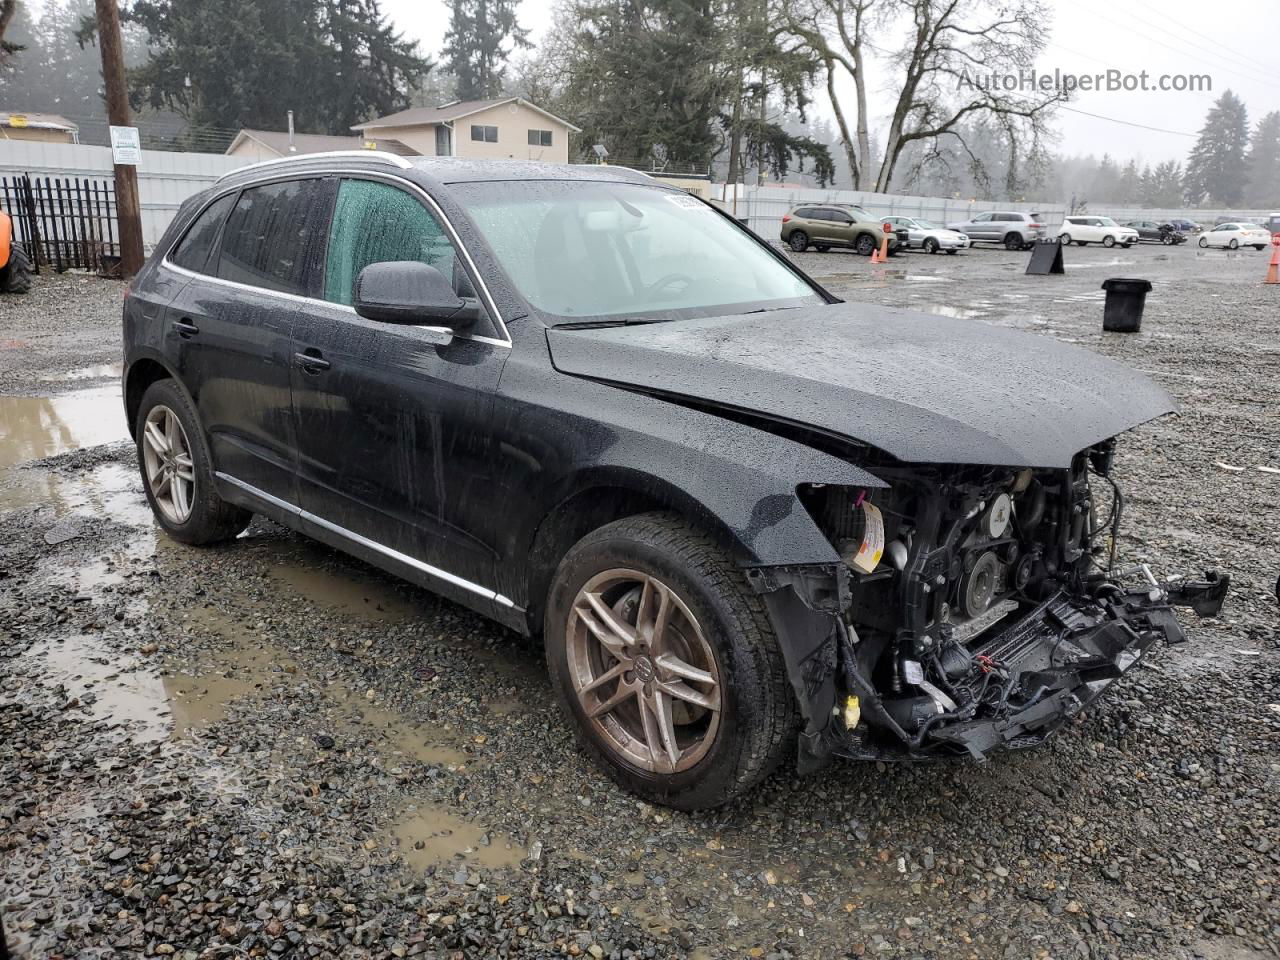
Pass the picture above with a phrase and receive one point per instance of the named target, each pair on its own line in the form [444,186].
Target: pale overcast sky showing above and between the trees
[1237,44]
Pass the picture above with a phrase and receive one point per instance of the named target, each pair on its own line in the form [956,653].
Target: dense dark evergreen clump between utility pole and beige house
[245,63]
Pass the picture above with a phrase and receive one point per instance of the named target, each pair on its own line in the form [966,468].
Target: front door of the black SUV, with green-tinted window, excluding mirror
[394,422]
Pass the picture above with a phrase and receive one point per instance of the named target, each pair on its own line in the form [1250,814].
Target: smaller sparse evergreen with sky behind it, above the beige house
[482,35]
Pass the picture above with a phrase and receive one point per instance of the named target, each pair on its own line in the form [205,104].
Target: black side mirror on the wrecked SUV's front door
[412,292]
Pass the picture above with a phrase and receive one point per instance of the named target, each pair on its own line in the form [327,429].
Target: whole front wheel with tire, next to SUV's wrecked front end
[688,708]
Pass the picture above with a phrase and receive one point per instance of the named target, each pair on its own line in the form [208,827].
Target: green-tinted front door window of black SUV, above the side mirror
[376,223]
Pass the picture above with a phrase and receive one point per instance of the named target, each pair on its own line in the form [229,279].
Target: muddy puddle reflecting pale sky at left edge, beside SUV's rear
[34,428]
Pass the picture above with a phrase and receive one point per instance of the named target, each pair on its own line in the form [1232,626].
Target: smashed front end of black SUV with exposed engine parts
[977,609]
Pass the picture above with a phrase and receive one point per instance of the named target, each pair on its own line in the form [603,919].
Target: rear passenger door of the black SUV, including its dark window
[231,331]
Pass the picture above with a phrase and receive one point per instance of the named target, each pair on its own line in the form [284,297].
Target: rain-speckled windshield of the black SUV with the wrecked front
[593,250]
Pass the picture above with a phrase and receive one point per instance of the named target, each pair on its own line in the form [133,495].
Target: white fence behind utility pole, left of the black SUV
[164,179]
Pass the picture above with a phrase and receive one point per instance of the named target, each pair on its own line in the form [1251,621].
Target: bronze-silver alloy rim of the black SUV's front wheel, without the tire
[643,671]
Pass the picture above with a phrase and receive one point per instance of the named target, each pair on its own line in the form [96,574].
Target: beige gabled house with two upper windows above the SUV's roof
[511,129]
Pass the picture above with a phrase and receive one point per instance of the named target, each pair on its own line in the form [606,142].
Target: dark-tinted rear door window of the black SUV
[267,237]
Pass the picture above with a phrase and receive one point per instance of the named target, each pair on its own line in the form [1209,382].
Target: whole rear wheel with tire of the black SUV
[177,470]
